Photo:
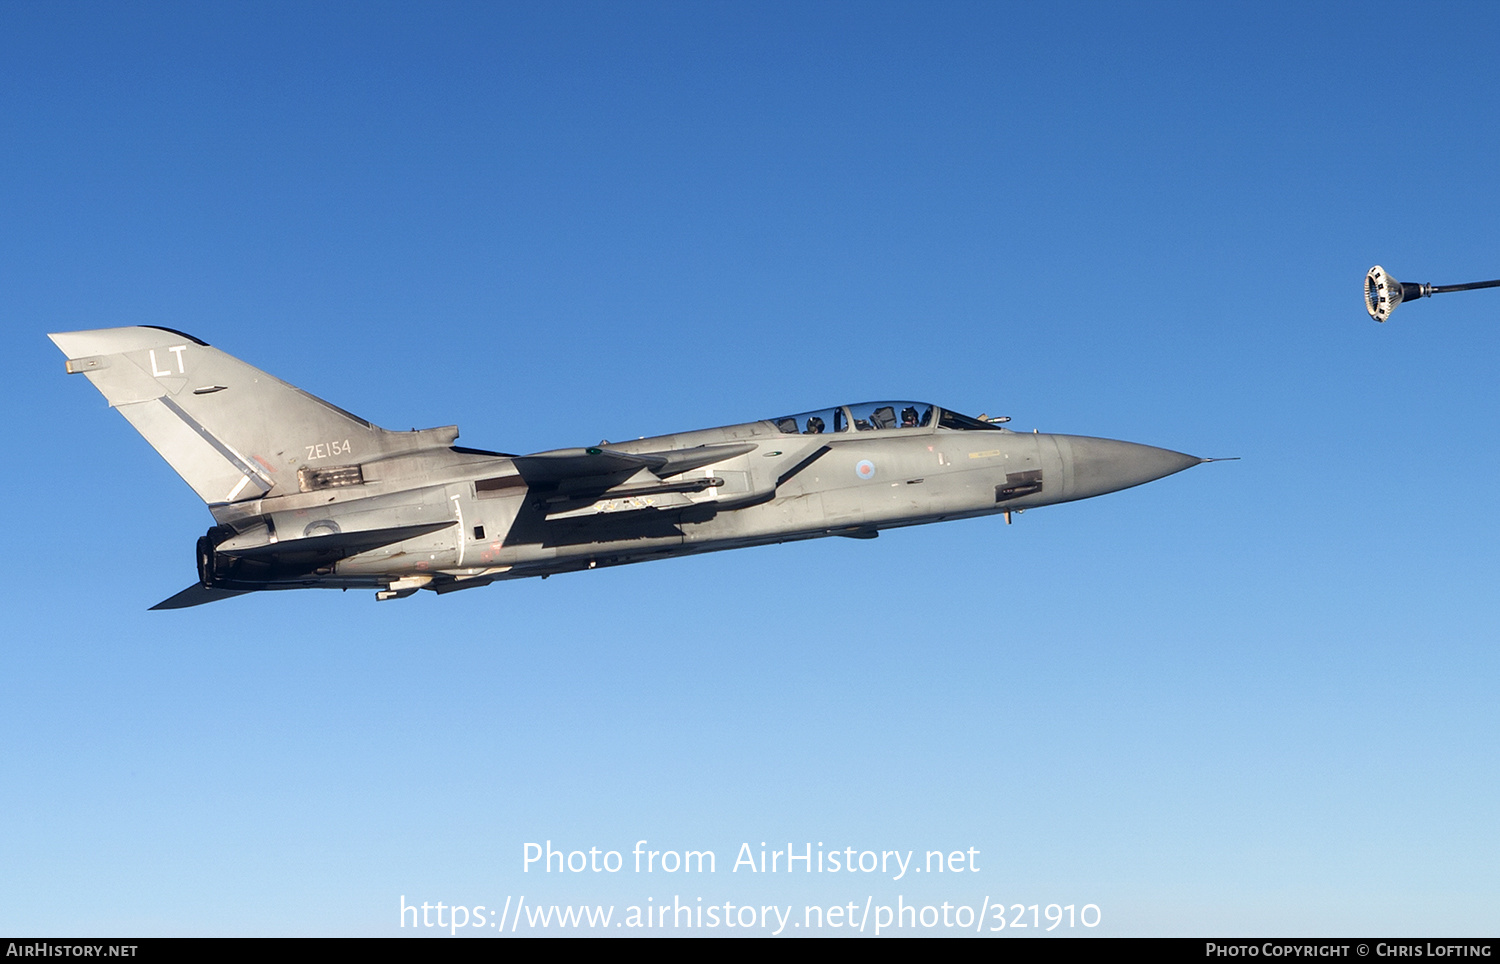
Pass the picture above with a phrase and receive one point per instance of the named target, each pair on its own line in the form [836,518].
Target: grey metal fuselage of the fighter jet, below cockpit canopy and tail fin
[779,488]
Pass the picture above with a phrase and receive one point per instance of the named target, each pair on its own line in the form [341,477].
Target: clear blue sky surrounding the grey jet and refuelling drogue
[1255,698]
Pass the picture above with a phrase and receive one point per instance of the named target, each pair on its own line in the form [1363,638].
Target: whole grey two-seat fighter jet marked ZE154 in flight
[308,495]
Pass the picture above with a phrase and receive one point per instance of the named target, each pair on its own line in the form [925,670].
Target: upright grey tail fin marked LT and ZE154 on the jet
[232,431]
